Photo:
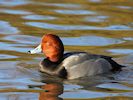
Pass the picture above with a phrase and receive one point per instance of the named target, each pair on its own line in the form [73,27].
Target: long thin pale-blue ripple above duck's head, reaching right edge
[76,27]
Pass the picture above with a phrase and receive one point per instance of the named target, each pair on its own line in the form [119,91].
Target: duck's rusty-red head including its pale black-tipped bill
[52,47]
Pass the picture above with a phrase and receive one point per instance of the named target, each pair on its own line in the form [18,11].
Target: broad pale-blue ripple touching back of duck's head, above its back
[90,41]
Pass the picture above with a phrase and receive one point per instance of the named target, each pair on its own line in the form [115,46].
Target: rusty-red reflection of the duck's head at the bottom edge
[52,93]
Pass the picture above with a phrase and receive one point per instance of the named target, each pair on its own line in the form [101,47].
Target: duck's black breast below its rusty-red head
[53,68]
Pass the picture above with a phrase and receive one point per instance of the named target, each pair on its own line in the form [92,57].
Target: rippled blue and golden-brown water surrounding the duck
[96,26]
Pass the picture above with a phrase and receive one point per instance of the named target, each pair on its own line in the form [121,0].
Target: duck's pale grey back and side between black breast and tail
[84,64]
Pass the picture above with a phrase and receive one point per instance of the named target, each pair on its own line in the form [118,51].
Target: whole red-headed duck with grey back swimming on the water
[71,65]
